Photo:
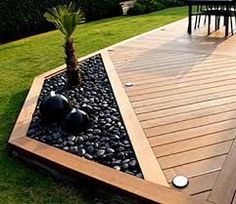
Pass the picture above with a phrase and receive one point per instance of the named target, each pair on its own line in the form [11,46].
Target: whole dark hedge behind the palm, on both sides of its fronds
[19,18]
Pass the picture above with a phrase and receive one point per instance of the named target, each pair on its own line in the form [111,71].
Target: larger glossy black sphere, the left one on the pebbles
[54,108]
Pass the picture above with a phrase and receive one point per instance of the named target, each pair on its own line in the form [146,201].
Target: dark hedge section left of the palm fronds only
[24,17]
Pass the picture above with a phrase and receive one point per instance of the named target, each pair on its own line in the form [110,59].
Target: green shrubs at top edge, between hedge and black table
[146,6]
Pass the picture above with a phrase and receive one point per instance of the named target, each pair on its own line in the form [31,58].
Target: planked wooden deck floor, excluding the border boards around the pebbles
[184,96]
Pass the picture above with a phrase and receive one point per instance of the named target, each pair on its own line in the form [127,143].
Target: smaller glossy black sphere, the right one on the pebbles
[76,121]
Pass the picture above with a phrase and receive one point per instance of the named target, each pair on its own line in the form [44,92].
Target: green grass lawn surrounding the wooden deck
[20,62]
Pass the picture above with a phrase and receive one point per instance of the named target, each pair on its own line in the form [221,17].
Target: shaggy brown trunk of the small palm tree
[72,69]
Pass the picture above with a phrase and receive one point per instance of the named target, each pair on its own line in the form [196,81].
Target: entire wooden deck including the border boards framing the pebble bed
[180,116]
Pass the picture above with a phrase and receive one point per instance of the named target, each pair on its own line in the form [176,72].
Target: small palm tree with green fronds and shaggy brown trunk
[66,18]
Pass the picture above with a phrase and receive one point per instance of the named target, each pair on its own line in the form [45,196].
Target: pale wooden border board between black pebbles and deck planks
[148,162]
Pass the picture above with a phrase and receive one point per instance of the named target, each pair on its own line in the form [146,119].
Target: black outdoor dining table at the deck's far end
[226,3]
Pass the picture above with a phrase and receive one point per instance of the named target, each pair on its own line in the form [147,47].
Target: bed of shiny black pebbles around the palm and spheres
[106,140]
